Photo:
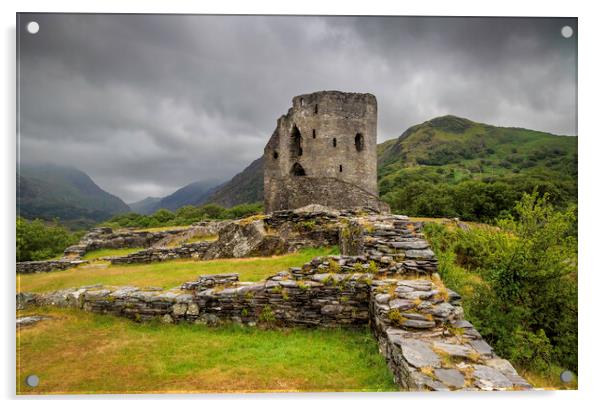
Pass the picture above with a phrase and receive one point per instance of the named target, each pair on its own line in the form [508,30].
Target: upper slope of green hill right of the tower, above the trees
[476,148]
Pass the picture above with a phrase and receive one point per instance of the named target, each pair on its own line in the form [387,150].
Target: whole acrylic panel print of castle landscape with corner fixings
[241,204]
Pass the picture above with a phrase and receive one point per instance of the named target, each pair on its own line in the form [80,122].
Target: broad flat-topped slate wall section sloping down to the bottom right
[429,346]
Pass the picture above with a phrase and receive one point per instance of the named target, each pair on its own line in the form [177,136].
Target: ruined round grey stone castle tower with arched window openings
[323,151]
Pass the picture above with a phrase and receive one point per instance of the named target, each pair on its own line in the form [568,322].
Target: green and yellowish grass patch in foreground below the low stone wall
[79,352]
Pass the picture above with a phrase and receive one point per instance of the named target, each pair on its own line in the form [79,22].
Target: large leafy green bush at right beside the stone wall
[519,281]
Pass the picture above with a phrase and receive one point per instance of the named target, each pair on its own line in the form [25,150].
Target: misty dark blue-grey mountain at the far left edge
[50,191]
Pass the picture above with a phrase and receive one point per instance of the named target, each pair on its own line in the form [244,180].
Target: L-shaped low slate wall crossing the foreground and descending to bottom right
[390,285]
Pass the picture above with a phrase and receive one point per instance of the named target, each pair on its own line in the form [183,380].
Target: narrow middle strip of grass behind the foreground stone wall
[165,274]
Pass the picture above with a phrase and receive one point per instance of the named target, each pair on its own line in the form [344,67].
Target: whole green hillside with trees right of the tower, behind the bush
[453,167]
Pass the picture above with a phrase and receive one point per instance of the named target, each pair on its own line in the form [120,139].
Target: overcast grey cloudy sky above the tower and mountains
[146,103]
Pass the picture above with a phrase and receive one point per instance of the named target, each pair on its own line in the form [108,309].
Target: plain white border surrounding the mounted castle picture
[590,125]
